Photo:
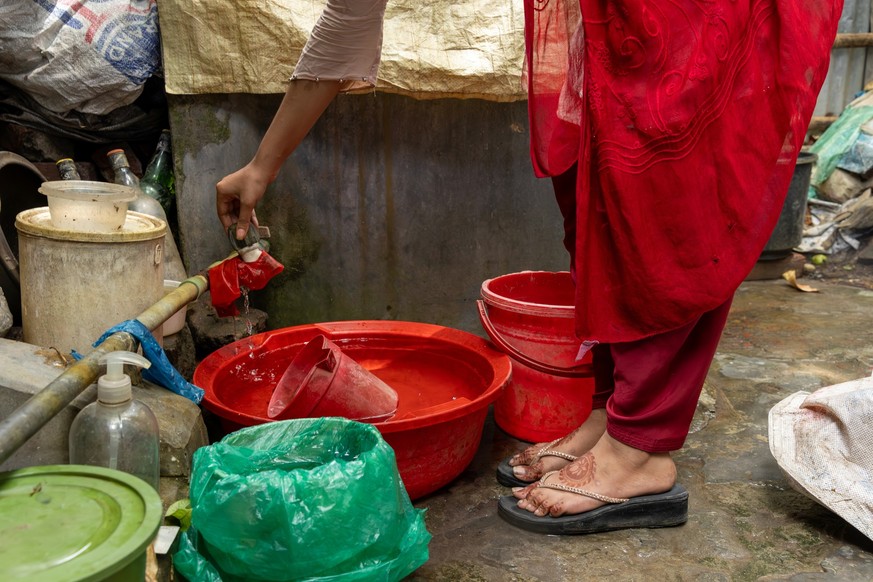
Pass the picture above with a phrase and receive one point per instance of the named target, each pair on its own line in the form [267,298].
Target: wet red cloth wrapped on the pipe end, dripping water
[227,277]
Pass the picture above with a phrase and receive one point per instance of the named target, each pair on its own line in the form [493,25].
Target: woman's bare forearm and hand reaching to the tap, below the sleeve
[237,194]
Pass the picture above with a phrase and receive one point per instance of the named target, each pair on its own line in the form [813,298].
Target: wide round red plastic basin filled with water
[445,380]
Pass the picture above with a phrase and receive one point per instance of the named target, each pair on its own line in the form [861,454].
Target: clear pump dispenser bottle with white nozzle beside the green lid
[117,431]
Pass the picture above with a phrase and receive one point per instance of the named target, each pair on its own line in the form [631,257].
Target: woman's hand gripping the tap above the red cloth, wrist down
[236,196]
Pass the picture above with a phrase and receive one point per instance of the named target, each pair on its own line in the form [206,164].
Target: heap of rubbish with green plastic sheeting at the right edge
[840,209]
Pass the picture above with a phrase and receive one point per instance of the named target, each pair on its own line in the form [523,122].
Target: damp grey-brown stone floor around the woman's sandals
[745,522]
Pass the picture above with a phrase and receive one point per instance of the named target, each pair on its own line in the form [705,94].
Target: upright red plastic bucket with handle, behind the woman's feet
[530,316]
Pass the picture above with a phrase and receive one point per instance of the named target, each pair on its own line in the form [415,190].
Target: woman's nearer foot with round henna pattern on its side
[611,469]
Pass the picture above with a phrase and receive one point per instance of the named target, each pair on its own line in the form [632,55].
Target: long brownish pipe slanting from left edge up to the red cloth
[39,409]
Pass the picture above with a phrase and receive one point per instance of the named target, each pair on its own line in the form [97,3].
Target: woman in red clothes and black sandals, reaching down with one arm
[670,131]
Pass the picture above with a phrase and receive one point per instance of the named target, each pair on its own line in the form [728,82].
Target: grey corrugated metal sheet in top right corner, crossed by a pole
[850,67]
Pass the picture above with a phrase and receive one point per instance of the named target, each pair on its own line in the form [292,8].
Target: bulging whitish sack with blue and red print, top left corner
[91,56]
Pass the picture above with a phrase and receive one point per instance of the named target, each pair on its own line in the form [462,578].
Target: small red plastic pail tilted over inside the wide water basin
[323,381]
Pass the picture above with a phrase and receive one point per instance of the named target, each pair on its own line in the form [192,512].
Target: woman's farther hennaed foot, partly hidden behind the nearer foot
[527,467]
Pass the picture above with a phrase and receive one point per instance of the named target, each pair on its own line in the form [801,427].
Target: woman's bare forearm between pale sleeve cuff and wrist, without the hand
[303,104]
